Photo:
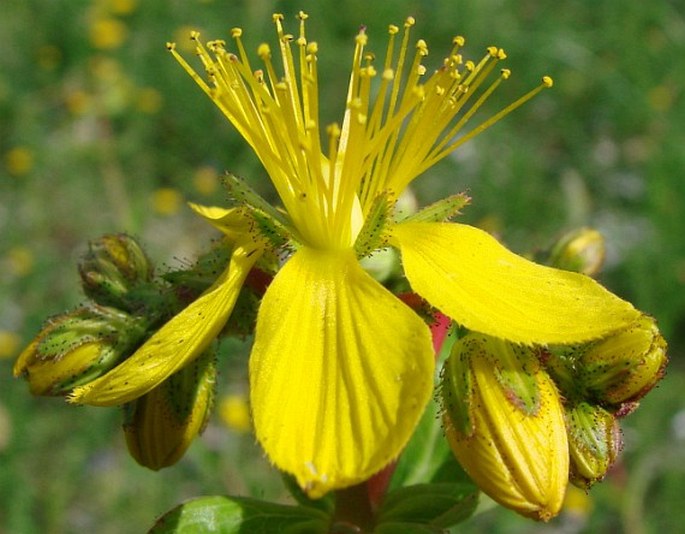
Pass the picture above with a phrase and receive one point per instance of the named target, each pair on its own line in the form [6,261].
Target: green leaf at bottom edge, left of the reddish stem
[237,515]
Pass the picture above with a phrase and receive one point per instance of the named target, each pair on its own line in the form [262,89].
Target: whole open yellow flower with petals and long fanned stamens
[341,369]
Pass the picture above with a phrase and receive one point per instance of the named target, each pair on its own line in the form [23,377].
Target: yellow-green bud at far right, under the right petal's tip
[622,368]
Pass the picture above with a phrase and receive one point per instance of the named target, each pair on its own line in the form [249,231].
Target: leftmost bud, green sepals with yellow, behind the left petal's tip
[74,348]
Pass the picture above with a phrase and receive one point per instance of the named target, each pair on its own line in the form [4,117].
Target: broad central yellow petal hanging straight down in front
[340,372]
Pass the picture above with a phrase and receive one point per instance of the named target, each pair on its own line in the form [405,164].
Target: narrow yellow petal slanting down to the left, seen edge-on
[176,344]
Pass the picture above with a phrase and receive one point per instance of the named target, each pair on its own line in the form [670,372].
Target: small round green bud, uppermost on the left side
[114,266]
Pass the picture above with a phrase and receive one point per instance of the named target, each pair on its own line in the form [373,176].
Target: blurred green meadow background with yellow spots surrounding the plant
[101,131]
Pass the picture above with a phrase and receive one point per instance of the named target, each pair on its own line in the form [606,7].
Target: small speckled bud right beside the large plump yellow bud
[594,440]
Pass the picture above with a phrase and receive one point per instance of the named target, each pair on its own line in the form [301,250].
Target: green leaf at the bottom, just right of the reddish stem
[434,505]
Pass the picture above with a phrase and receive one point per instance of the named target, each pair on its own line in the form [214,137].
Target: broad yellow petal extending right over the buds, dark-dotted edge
[469,276]
